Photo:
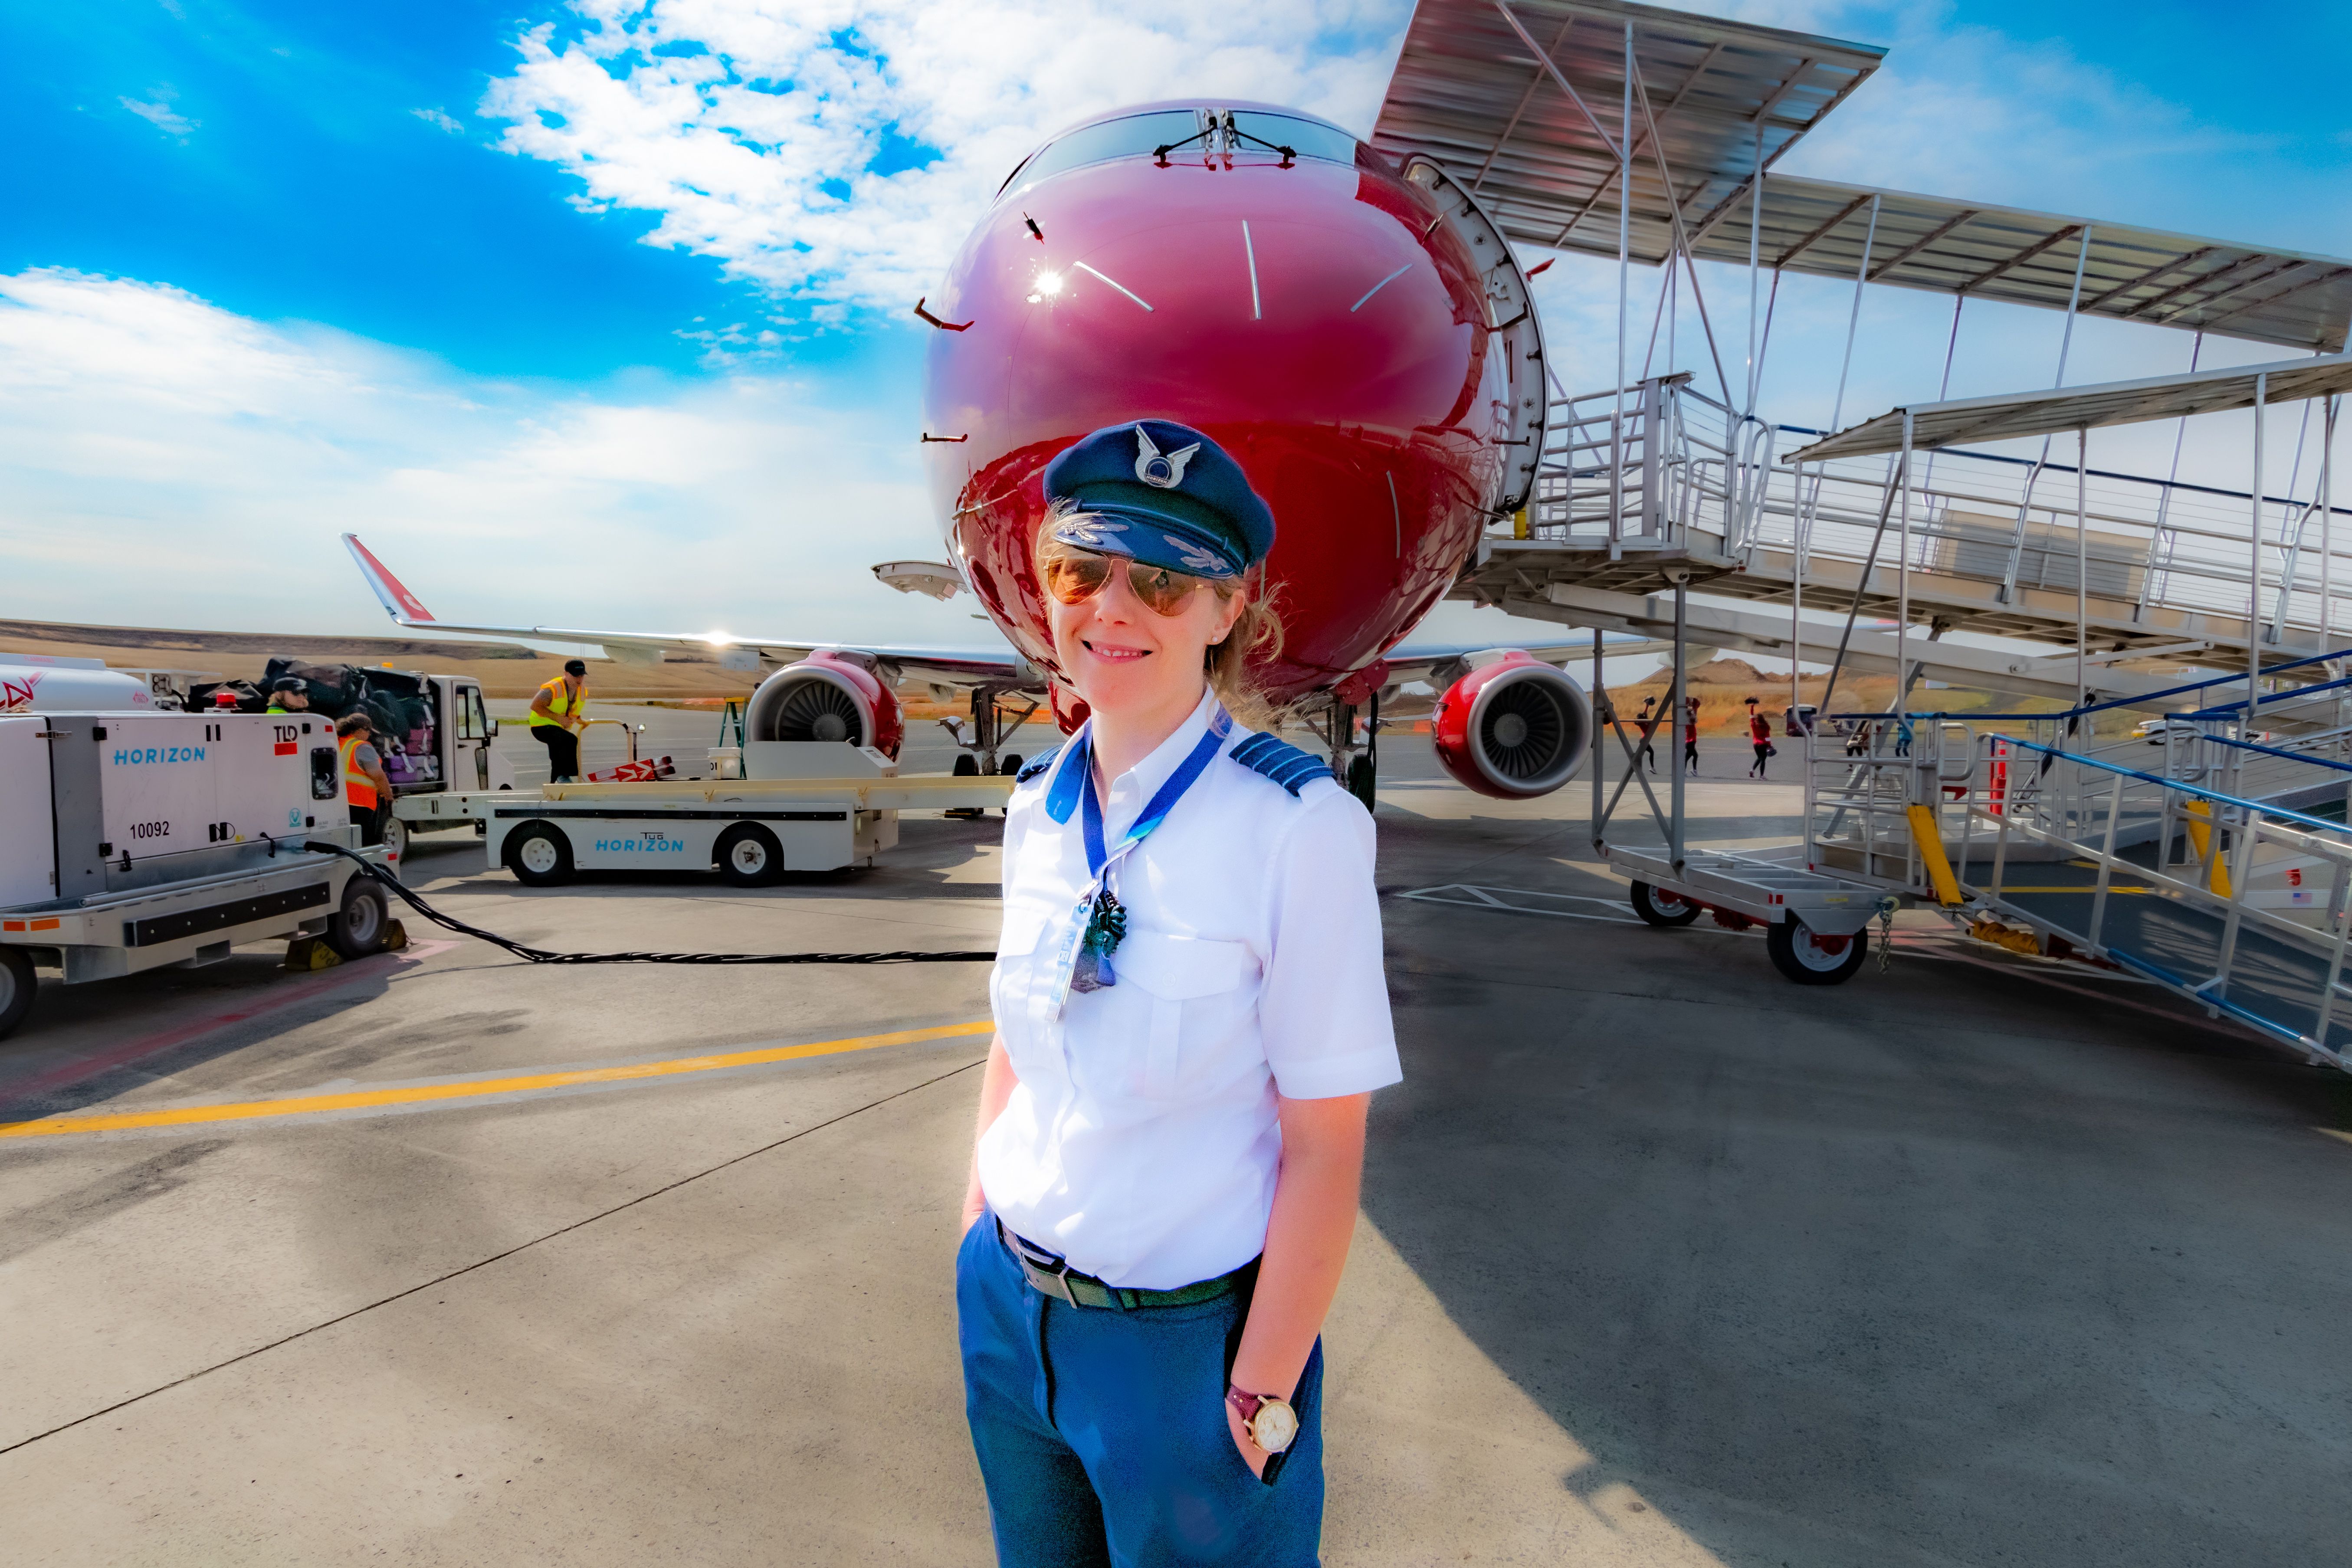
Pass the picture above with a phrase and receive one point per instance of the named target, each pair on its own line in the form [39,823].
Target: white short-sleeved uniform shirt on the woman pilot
[1144,1139]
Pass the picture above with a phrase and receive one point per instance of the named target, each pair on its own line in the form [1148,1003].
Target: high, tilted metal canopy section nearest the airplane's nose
[1474,95]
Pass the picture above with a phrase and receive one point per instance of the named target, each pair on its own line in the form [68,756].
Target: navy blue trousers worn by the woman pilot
[1102,1435]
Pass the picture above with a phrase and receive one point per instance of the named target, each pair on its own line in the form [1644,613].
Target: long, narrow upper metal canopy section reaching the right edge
[2029,260]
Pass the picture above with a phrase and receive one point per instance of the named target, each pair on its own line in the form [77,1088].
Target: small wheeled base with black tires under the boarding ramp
[1817,927]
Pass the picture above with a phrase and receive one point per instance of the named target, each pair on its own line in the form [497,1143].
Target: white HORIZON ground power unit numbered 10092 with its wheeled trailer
[140,838]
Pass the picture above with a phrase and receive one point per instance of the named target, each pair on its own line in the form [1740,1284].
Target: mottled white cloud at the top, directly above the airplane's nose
[754,126]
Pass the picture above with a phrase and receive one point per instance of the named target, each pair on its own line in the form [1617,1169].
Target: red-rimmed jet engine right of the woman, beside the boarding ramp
[1514,728]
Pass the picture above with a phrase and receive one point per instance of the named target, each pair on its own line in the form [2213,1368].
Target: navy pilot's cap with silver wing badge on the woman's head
[1163,495]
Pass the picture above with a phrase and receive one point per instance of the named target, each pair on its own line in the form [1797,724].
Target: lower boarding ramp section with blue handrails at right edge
[2210,857]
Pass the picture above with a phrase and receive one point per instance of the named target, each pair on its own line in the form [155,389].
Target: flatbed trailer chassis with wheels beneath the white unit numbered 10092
[194,923]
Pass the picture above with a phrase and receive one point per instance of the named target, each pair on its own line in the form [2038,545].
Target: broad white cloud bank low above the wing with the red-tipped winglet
[175,464]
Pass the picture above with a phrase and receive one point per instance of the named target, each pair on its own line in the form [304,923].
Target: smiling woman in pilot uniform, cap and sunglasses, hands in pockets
[1191,1019]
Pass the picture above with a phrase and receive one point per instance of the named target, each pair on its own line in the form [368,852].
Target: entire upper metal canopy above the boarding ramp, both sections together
[1471,93]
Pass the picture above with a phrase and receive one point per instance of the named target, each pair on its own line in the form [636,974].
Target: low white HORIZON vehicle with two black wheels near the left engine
[749,829]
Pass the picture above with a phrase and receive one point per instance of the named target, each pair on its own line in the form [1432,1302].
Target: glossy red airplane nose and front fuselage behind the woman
[1318,319]
